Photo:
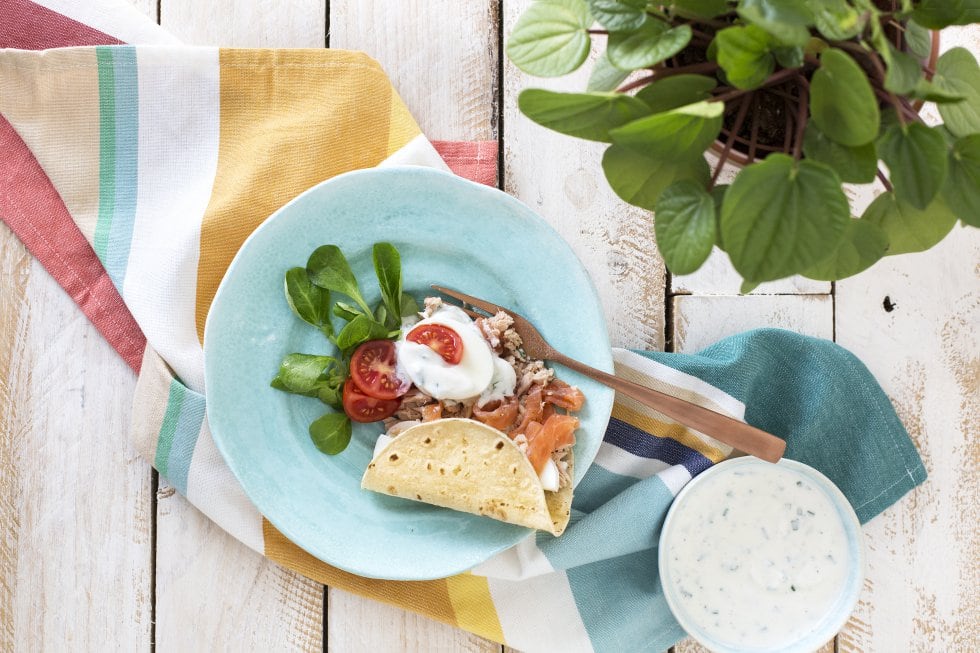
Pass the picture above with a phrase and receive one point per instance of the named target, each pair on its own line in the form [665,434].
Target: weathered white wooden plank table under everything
[98,553]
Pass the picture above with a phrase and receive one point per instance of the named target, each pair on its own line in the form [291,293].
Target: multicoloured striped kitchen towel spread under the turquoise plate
[135,172]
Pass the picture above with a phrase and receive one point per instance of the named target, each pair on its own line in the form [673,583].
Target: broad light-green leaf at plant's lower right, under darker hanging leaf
[909,229]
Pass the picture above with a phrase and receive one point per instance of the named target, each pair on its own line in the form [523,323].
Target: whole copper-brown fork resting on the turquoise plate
[723,428]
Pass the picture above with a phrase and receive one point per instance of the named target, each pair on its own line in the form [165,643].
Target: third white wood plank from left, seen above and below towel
[441,57]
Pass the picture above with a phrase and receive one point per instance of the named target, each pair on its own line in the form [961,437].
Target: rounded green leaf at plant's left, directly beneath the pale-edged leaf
[639,179]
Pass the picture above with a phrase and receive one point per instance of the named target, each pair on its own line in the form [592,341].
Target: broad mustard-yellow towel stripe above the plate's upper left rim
[289,120]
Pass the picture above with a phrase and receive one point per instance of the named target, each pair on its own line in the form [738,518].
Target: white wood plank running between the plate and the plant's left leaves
[561,178]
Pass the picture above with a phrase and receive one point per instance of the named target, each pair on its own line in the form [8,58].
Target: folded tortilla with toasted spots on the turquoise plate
[468,466]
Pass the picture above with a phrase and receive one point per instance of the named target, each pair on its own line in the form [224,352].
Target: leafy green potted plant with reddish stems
[805,95]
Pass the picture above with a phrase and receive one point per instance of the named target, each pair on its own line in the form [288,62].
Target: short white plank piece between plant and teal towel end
[701,320]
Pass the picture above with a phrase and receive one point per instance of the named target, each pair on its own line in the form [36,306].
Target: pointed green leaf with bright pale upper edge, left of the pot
[679,134]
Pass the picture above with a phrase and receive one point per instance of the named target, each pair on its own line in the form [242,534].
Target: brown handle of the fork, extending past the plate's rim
[723,428]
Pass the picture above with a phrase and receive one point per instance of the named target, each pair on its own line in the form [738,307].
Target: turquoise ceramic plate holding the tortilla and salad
[449,231]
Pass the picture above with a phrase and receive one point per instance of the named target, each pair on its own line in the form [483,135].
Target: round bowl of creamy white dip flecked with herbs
[756,557]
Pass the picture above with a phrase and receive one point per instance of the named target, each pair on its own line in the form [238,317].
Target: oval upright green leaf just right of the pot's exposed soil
[841,100]
